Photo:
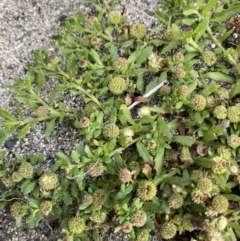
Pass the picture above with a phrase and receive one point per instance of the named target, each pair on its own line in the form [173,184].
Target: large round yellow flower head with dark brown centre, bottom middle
[146,190]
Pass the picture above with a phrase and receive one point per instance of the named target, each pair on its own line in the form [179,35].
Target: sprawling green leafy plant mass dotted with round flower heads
[168,167]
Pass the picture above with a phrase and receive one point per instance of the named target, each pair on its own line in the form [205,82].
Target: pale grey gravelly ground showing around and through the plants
[26,27]
